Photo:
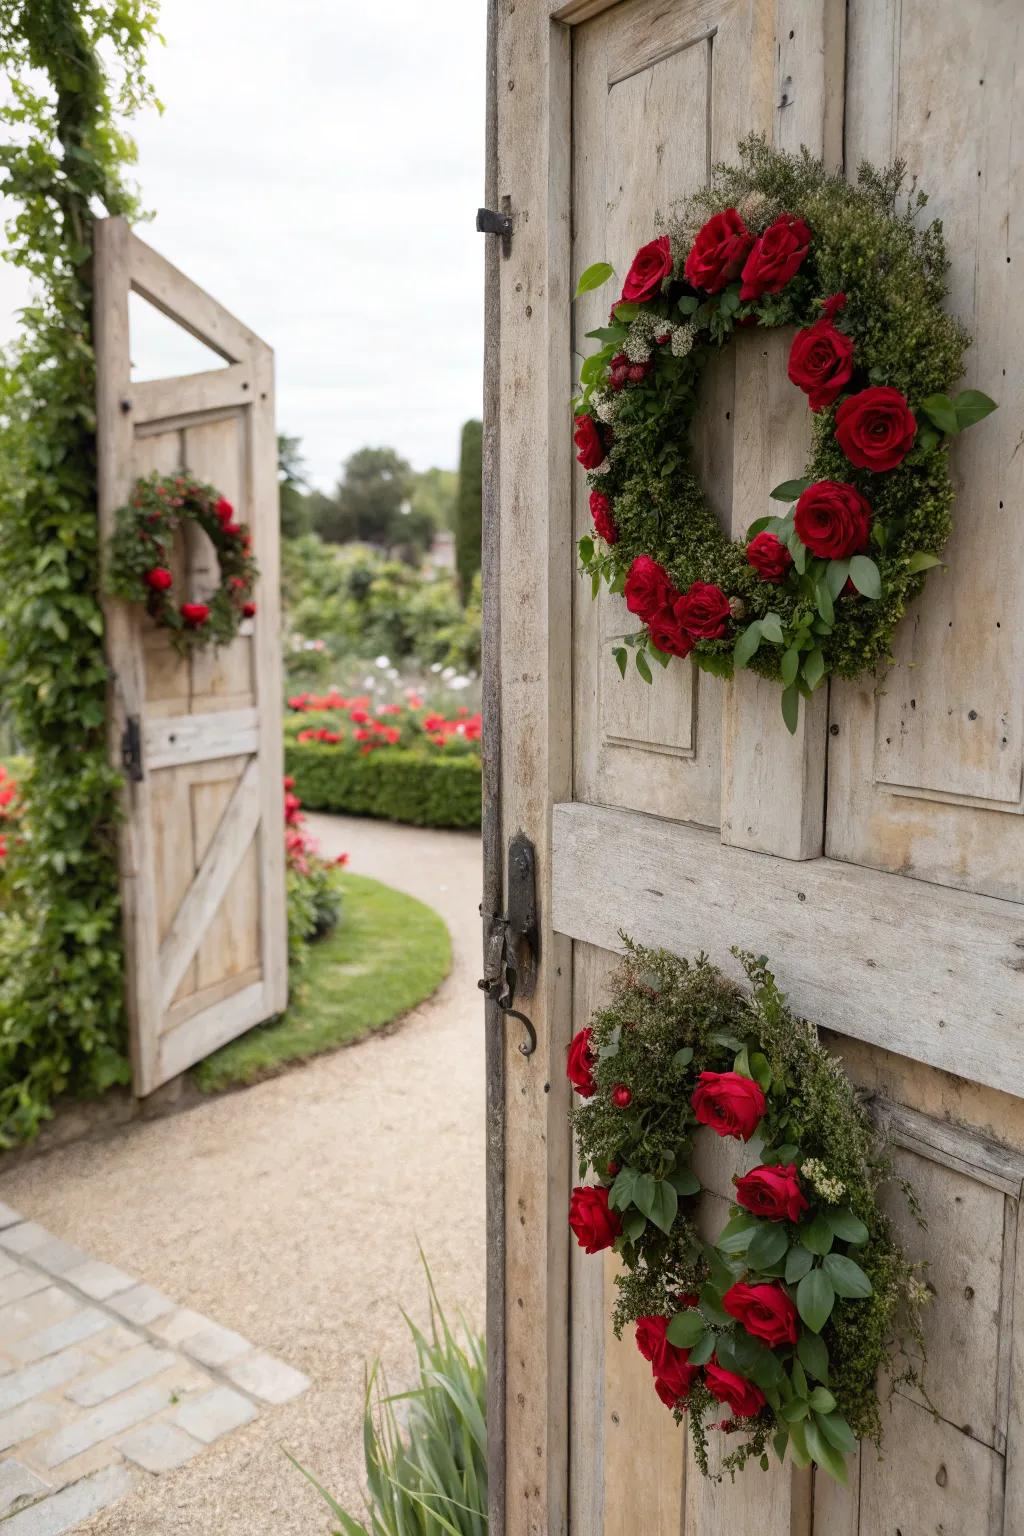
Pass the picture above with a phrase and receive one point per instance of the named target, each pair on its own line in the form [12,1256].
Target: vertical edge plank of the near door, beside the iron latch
[533,171]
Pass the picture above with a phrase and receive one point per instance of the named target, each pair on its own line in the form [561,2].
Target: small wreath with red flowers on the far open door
[140,560]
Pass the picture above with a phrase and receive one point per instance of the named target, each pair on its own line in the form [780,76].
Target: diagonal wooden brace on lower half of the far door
[206,893]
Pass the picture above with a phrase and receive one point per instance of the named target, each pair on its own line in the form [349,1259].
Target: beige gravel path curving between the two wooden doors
[291,1213]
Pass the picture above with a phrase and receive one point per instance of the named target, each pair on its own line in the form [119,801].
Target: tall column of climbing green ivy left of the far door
[74,71]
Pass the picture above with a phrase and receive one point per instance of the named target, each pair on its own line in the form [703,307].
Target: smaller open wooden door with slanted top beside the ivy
[203,835]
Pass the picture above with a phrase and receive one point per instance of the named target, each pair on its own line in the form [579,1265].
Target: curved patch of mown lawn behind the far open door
[386,956]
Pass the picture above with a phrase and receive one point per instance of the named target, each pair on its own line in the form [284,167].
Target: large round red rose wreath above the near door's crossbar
[821,588]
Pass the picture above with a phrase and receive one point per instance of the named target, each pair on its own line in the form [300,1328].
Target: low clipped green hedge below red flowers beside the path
[394,786]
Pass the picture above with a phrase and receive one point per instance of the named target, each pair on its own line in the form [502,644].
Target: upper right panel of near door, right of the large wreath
[927,775]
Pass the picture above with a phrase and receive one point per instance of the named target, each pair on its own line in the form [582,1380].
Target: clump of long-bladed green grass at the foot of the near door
[432,1480]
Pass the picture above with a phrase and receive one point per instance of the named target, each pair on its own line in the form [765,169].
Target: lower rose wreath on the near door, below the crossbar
[788,1316]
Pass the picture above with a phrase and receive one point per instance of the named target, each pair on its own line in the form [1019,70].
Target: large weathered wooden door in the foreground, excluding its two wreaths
[877,858]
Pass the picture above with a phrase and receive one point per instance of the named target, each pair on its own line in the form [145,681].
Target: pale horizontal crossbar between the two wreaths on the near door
[922,970]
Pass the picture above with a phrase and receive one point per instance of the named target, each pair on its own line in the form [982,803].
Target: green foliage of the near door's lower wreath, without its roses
[667,1022]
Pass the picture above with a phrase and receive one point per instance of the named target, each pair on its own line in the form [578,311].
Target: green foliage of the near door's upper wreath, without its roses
[894,279]
